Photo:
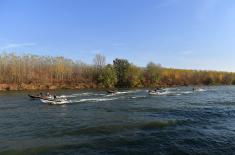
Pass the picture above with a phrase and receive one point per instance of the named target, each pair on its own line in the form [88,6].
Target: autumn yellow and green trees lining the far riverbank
[33,72]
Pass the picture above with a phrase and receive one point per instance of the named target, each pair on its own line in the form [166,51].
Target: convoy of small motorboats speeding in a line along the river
[53,99]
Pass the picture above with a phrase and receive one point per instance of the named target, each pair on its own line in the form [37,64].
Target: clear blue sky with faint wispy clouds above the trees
[189,34]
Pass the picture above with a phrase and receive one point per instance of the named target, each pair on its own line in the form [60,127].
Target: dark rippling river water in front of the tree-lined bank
[179,121]
